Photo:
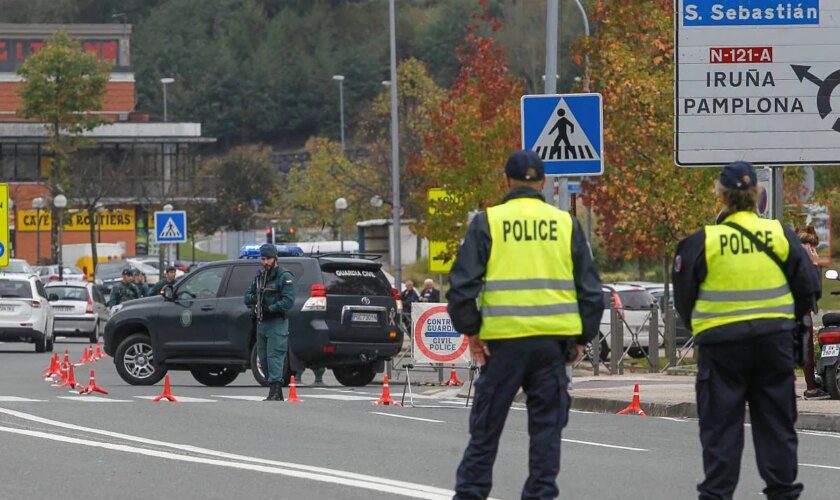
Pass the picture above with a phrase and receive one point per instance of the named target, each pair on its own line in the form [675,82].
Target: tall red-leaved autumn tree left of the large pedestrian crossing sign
[476,129]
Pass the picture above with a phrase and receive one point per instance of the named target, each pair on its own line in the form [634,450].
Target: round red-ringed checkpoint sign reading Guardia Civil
[436,339]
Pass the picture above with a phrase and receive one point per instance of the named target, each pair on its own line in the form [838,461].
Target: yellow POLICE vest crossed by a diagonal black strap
[742,282]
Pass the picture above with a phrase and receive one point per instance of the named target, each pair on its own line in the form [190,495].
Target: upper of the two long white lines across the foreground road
[442,493]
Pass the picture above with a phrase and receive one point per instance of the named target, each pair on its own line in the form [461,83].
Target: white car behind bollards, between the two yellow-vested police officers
[634,304]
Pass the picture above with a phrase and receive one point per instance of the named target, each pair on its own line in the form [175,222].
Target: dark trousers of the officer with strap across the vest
[758,371]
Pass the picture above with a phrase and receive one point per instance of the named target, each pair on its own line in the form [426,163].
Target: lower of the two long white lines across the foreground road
[233,465]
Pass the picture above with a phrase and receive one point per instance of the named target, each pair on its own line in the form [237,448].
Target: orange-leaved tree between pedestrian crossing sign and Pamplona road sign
[645,203]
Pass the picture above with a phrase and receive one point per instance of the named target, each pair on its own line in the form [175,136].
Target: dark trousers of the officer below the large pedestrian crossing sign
[537,365]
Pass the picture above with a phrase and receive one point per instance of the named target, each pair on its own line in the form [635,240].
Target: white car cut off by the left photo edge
[25,313]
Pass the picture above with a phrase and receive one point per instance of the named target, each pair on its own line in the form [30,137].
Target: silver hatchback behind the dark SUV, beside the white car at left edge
[79,309]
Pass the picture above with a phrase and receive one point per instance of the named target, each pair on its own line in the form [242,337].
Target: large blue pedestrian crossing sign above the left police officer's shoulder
[566,131]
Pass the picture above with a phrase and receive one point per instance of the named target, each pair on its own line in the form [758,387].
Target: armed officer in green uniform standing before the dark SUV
[272,295]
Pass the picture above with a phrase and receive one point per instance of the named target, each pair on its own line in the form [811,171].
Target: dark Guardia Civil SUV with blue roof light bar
[344,318]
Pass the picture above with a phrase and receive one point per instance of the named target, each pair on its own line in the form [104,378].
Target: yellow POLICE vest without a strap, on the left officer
[529,284]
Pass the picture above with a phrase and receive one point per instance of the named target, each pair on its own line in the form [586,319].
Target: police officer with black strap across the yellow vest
[742,305]
